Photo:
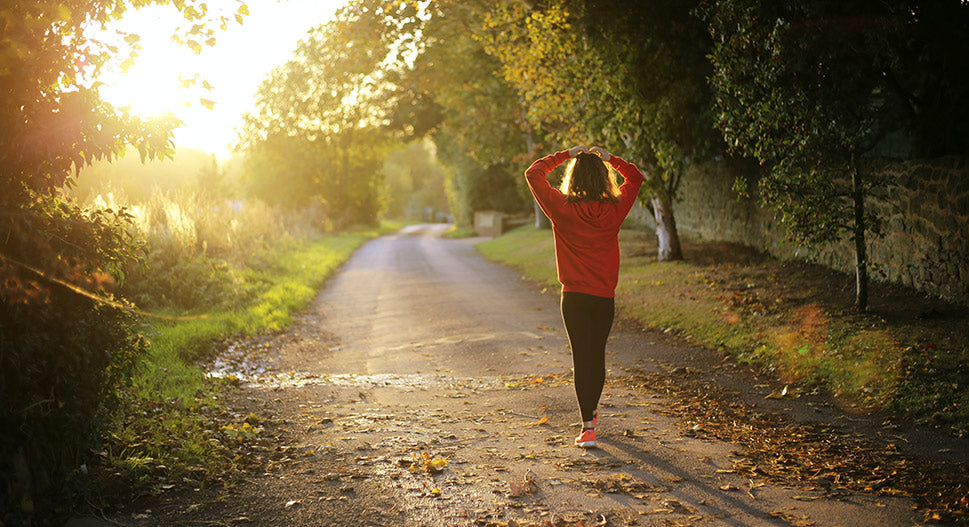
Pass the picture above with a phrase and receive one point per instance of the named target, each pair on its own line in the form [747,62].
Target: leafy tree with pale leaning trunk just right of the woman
[604,72]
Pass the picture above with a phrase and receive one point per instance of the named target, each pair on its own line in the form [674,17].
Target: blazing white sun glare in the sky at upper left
[207,91]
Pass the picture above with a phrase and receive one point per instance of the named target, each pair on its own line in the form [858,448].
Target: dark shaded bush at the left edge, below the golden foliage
[62,354]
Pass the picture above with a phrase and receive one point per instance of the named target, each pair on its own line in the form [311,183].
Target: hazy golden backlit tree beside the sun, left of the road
[321,126]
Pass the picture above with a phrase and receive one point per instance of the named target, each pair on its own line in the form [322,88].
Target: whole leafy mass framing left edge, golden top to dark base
[66,346]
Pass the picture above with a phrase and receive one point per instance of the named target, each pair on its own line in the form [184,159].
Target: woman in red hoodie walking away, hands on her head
[586,213]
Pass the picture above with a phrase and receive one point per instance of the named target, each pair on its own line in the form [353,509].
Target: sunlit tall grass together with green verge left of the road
[212,270]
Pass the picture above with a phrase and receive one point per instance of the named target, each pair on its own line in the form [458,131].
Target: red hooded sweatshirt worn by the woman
[586,232]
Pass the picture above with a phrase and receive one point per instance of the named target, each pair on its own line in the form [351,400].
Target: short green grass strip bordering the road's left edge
[171,430]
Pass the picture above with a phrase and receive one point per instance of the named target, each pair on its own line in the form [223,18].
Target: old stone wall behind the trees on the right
[924,207]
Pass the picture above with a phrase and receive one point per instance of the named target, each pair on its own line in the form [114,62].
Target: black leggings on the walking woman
[588,320]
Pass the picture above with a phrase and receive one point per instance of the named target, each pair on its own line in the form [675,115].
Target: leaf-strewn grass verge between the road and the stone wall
[909,353]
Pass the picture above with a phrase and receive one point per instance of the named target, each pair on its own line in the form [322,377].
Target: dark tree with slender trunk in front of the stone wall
[810,87]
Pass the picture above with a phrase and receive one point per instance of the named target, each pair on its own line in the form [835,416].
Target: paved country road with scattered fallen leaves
[427,386]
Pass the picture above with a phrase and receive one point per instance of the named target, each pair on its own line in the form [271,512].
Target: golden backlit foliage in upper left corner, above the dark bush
[54,121]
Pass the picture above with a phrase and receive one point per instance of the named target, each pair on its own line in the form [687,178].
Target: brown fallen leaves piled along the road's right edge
[814,455]
